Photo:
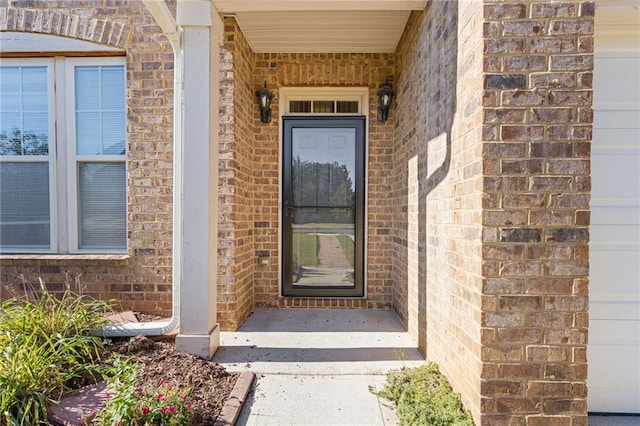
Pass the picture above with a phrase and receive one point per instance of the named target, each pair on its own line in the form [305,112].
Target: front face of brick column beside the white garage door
[537,131]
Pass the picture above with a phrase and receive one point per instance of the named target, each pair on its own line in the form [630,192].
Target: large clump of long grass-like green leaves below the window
[46,345]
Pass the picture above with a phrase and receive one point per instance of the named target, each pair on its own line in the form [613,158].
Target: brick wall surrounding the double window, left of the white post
[143,280]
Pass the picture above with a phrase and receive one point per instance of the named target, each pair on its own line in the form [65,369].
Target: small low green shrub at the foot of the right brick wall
[424,397]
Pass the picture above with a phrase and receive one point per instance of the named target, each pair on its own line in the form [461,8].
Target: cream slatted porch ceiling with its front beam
[315,26]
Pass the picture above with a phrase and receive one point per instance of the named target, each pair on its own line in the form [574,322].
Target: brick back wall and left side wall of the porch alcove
[250,175]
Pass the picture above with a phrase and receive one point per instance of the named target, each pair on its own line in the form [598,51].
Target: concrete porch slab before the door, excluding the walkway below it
[319,341]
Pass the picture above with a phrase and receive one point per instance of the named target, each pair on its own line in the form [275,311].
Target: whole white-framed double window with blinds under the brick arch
[62,155]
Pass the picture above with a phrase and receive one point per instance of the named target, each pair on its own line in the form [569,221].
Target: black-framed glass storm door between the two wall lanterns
[323,207]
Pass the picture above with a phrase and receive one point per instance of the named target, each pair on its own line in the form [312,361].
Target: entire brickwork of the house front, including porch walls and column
[478,187]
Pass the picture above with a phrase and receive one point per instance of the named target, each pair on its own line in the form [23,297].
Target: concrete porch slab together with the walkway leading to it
[317,366]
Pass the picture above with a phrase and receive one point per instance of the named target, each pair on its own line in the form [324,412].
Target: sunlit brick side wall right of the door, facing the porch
[437,189]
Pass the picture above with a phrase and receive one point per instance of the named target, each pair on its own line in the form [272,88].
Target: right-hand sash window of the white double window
[100,132]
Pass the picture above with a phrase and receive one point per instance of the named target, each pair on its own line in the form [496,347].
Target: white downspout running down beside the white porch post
[167,23]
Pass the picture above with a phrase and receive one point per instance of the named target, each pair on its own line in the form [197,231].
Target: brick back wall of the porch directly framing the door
[325,69]
